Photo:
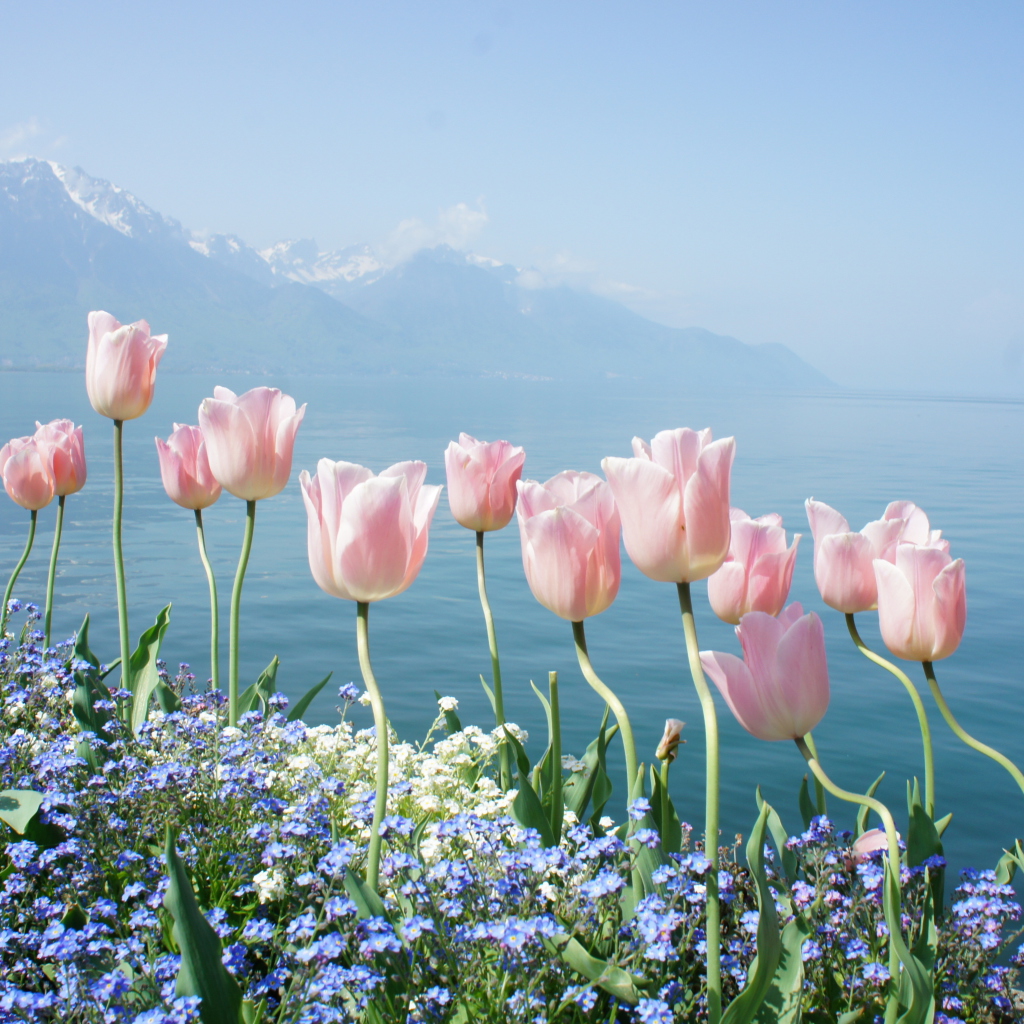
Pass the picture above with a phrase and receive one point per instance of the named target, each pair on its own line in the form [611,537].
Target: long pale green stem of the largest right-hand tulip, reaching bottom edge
[711,805]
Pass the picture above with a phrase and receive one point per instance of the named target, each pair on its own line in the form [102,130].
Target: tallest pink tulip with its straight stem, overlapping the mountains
[120,376]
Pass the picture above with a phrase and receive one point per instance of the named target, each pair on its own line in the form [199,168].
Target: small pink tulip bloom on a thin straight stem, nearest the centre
[482,481]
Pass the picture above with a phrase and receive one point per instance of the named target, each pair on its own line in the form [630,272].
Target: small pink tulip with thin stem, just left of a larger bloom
[185,468]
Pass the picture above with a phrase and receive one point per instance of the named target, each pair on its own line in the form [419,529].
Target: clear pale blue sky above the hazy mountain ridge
[845,179]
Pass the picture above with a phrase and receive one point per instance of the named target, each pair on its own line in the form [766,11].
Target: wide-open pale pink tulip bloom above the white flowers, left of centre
[368,535]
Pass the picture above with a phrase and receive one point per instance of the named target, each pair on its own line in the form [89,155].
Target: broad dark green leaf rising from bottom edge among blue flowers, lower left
[202,972]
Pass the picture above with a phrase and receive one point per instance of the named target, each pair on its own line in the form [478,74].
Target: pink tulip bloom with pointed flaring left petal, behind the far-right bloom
[843,560]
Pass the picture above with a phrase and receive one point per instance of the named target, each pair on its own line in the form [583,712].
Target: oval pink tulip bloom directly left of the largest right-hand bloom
[570,532]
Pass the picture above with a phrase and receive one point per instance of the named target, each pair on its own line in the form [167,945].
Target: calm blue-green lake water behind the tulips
[963,461]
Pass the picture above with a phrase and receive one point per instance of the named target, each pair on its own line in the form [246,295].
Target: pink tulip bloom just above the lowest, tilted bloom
[758,572]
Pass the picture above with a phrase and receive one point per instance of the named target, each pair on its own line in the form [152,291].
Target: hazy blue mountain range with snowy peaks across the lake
[70,243]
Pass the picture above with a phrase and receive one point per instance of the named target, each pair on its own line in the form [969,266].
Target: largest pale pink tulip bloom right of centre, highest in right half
[674,500]
